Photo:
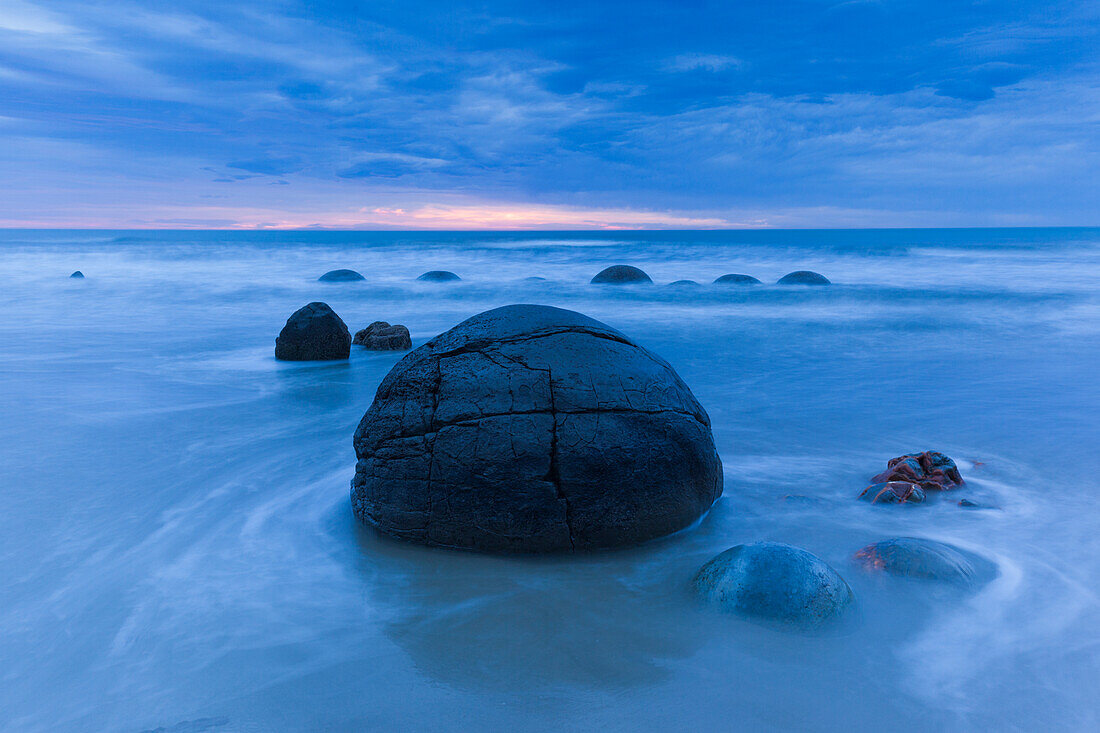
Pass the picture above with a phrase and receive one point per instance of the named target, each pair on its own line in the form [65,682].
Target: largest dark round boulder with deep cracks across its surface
[534,430]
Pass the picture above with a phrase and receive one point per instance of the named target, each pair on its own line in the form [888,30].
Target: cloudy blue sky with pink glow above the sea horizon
[532,115]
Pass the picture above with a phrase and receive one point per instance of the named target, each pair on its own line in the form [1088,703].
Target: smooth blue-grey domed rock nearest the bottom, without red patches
[776,583]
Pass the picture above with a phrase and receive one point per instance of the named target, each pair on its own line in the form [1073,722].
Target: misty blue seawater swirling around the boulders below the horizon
[179,550]
